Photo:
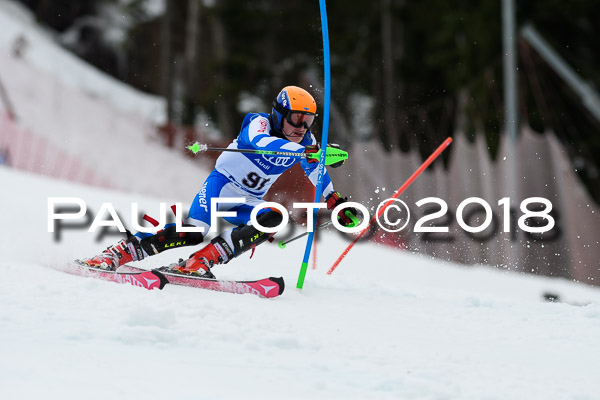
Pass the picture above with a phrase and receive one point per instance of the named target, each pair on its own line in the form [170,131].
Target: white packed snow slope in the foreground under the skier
[386,325]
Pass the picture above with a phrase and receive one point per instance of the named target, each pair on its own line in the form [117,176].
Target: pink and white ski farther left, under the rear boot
[146,279]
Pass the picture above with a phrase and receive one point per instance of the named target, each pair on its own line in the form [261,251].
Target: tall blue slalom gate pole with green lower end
[319,189]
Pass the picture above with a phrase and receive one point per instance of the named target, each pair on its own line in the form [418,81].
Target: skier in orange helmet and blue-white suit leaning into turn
[245,175]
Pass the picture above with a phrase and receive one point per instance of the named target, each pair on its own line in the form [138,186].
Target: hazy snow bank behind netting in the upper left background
[106,125]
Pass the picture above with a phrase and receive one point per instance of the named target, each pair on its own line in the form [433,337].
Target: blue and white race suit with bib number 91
[250,175]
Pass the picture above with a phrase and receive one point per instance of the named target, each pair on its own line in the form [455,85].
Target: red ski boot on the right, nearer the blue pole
[200,263]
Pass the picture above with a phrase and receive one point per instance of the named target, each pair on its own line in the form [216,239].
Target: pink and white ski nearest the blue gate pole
[267,287]
